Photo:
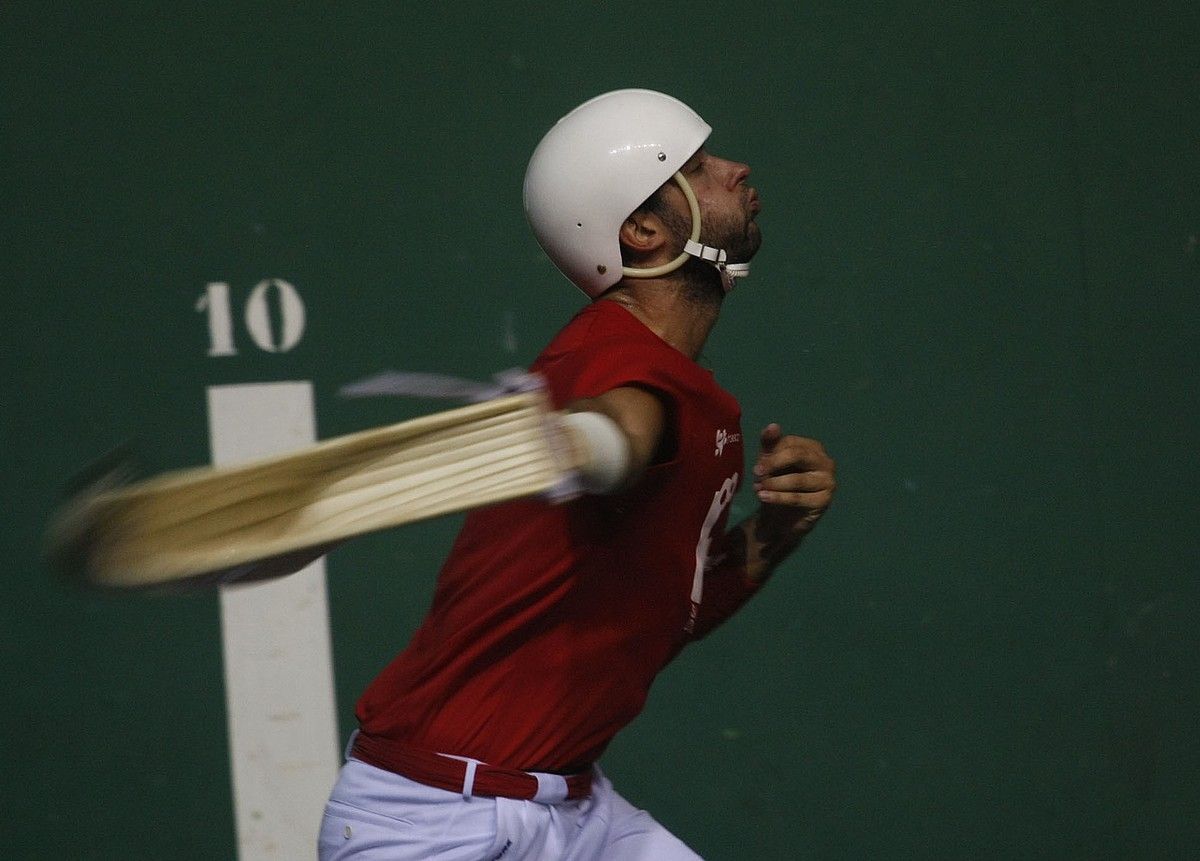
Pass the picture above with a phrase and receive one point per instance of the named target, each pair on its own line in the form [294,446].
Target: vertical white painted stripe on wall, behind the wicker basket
[279,670]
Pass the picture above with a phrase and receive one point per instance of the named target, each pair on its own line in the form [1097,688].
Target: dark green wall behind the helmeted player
[980,286]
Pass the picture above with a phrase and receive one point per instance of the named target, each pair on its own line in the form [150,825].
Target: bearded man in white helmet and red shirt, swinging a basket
[550,622]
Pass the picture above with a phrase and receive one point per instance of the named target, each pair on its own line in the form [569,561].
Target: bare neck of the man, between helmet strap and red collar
[671,310]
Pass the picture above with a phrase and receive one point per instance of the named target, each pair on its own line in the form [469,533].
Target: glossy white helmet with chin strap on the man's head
[598,165]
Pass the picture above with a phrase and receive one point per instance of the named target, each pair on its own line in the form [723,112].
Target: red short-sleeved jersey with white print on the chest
[550,622]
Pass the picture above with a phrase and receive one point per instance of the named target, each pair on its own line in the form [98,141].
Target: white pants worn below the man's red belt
[376,816]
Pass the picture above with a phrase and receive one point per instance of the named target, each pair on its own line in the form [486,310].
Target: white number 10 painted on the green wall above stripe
[215,300]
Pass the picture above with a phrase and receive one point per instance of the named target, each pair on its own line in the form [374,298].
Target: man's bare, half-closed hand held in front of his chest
[795,483]
